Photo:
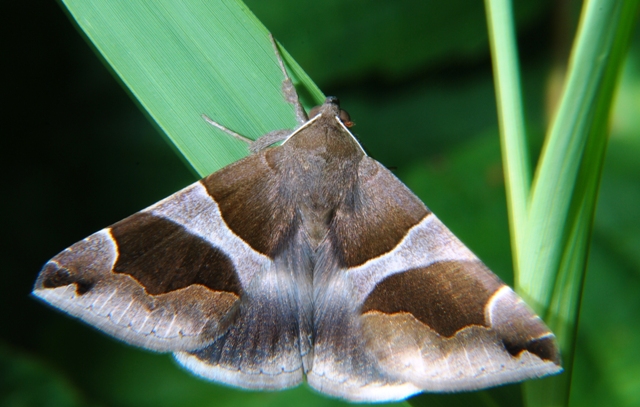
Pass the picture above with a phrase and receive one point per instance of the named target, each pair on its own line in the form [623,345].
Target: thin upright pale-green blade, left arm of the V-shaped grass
[517,169]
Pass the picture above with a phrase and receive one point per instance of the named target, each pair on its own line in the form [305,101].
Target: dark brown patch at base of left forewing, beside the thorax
[253,201]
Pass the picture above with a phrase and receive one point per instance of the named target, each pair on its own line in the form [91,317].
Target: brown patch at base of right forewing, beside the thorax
[376,218]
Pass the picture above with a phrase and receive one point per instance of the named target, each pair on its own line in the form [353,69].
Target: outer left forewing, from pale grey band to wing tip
[157,279]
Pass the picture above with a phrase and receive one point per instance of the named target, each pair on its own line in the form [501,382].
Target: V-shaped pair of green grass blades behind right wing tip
[551,237]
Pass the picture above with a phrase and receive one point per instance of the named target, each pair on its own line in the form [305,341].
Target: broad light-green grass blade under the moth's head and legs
[184,59]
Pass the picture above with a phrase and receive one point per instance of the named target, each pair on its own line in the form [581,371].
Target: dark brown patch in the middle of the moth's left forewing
[164,257]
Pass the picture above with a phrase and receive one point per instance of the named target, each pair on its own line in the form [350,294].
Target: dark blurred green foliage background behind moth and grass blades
[416,78]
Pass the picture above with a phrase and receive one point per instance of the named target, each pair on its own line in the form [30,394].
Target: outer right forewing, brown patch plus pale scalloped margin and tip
[451,326]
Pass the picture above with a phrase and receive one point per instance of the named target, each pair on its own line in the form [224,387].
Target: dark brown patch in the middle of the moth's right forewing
[445,296]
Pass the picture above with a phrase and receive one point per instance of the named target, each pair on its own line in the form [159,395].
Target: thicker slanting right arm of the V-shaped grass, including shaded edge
[567,181]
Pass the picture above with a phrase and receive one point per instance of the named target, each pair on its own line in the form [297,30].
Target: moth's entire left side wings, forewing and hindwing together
[187,275]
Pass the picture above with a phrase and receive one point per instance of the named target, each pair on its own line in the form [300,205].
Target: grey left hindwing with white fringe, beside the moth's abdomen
[269,344]
